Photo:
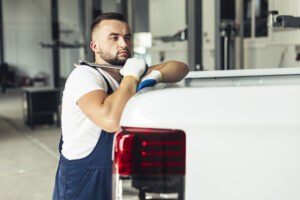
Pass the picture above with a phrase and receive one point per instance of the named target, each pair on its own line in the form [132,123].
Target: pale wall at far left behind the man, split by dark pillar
[27,23]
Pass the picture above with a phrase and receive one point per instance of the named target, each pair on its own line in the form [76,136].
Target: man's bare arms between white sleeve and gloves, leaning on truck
[105,111]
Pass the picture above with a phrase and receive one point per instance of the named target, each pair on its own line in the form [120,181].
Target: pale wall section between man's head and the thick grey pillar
[166,17]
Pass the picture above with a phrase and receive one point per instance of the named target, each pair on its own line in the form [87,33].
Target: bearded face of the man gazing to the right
[114,41]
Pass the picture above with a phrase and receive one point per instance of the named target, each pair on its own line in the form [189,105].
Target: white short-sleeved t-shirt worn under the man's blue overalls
[80,135]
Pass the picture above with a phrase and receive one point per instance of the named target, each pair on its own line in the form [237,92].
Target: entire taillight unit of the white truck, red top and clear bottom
[149,163]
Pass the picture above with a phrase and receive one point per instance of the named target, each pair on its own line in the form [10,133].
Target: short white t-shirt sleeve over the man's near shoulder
[83,79]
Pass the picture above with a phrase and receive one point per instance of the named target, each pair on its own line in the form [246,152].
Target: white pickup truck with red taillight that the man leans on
[209,139]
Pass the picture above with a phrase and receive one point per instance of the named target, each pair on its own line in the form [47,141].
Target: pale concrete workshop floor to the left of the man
[28,158]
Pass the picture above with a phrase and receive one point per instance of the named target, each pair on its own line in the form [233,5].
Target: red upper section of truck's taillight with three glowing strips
[140,151]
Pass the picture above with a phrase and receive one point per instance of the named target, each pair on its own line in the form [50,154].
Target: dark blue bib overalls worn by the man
[89,178]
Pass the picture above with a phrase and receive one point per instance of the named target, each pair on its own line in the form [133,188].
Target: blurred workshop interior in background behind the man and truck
[41,42]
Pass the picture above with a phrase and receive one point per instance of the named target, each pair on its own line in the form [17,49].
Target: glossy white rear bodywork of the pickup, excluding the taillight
[241,142]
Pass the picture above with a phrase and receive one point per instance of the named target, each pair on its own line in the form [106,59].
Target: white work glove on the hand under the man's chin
[134,67]
